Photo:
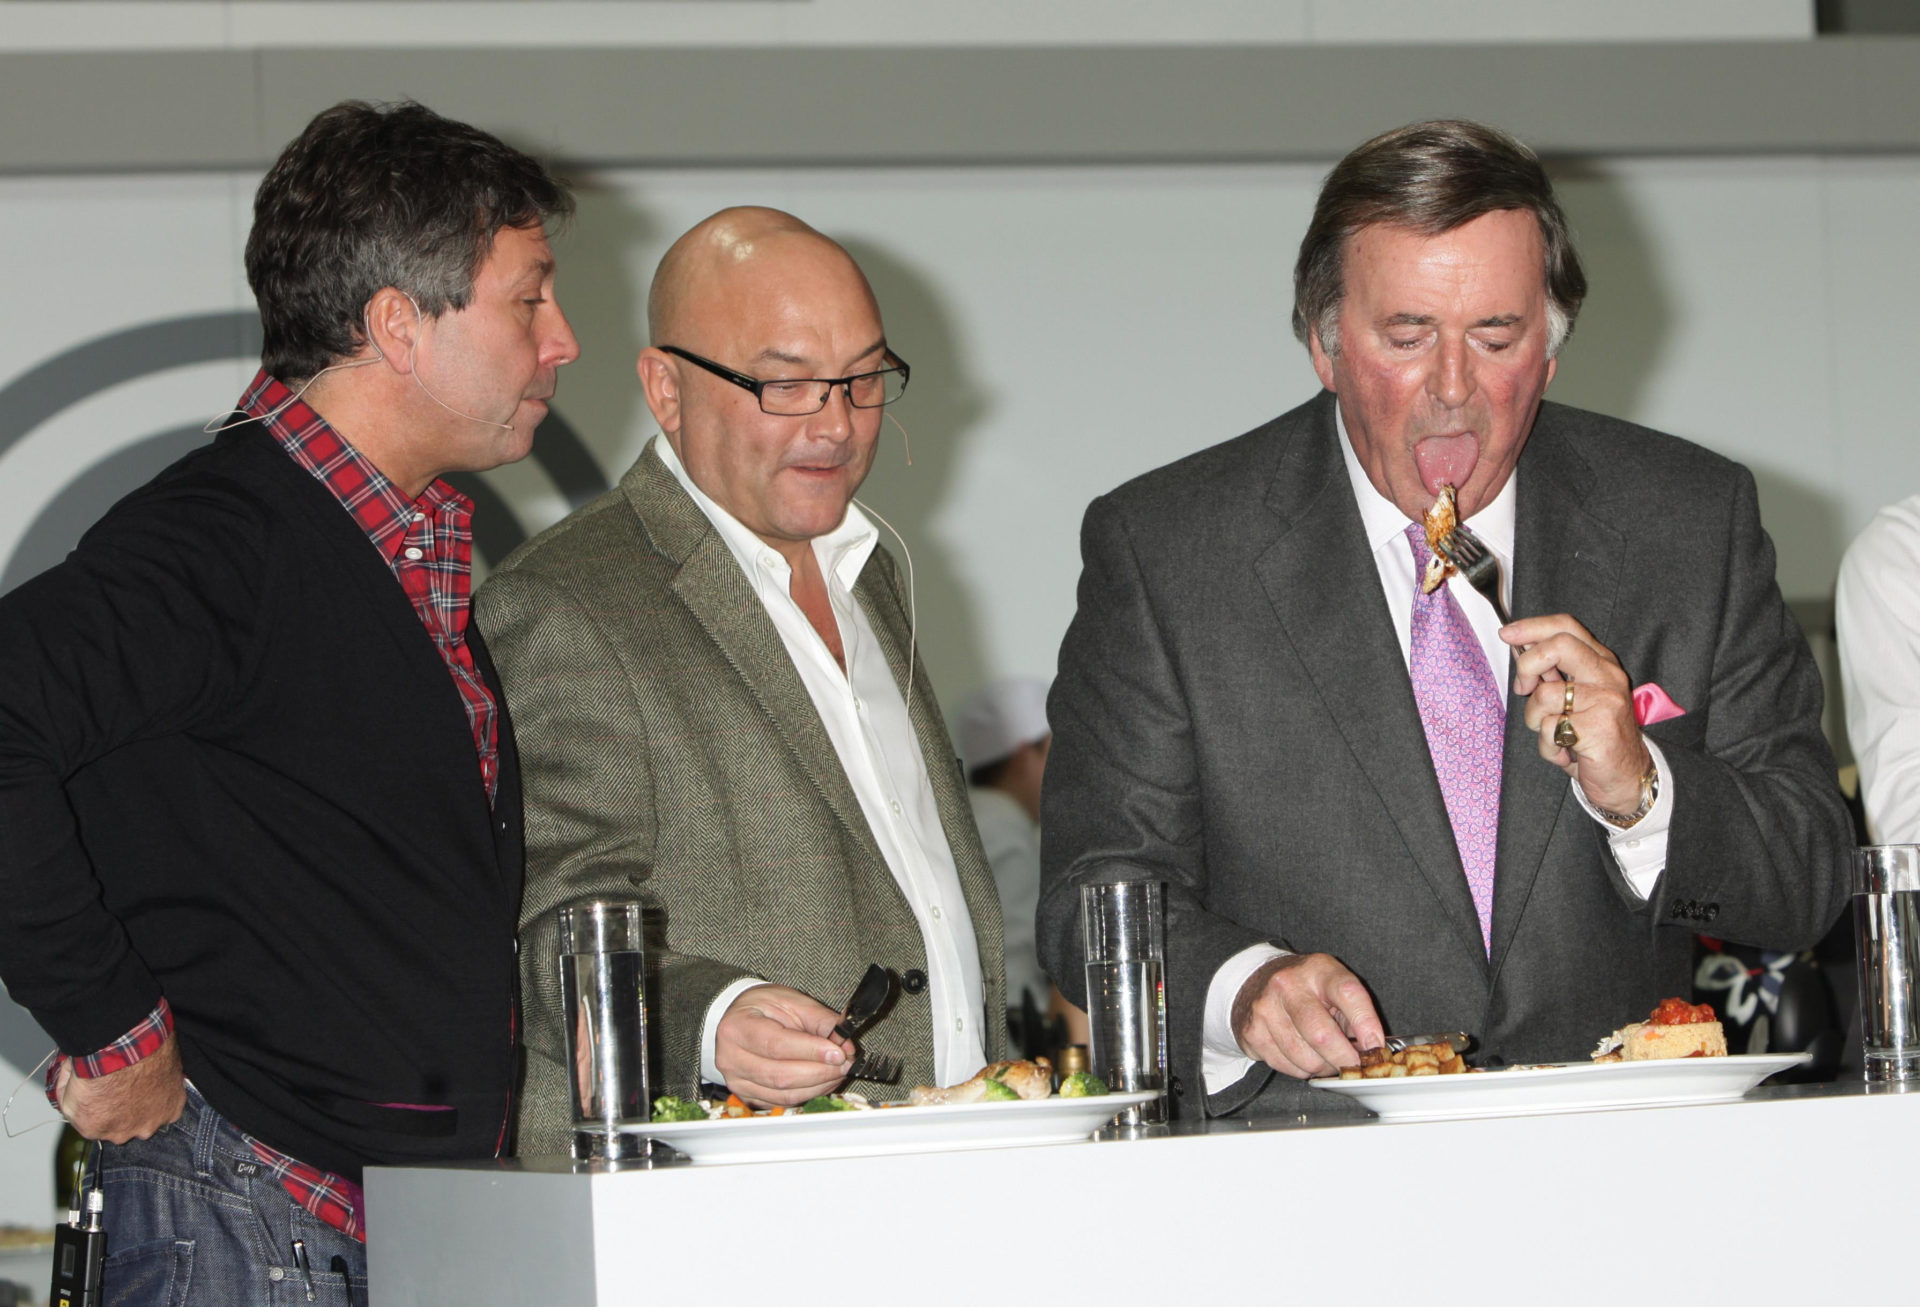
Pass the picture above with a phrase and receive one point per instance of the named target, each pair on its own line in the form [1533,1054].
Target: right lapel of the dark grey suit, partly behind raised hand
[1566,559]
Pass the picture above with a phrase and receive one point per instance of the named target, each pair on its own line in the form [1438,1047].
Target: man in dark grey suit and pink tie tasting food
[1262,705]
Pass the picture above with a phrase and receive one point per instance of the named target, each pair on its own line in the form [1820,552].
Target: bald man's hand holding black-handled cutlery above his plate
[777,1047]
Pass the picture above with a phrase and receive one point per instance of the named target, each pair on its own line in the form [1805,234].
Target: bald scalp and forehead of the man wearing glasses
[734,254]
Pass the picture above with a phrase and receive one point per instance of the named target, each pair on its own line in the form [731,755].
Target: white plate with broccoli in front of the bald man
[890,1129]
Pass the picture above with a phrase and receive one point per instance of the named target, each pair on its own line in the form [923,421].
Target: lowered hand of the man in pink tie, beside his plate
[1307,1016]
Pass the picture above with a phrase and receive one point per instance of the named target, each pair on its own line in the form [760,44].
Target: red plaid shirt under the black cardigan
[429,544]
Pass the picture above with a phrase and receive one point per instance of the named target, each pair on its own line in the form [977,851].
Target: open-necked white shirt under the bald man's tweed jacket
[875,738]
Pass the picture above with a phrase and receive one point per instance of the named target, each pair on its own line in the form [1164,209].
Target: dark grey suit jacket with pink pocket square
[1234,717]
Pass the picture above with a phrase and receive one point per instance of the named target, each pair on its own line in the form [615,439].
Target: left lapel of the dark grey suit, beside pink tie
[1326,590]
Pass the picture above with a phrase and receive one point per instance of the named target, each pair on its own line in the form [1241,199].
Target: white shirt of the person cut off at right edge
[1879,619]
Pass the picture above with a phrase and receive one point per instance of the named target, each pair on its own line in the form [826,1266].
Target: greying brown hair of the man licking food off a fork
[1431,179]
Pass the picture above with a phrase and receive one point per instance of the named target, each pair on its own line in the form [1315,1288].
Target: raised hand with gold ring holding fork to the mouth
[1612,757]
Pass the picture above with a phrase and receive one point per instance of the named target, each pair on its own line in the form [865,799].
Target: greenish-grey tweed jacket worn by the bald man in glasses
[671,753]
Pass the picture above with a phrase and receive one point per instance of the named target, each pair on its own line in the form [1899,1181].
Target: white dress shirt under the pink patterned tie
[1641,851]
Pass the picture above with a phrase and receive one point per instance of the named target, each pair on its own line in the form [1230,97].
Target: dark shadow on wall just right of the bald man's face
[944,404]
